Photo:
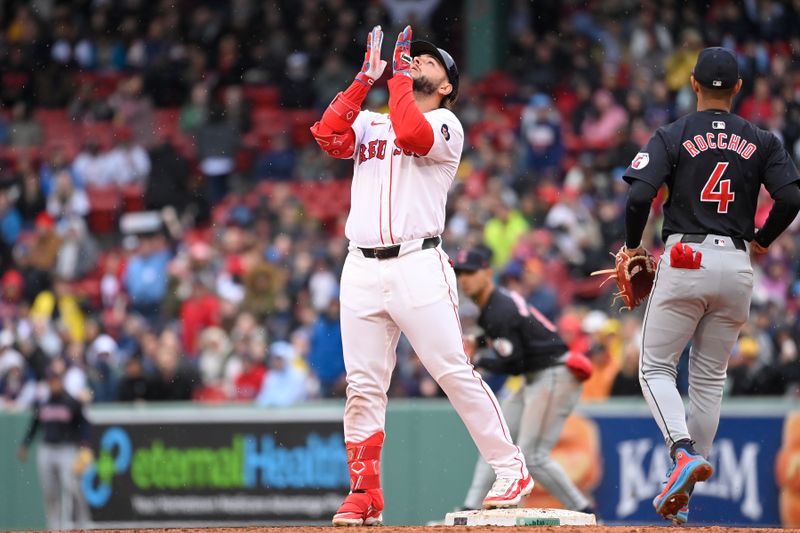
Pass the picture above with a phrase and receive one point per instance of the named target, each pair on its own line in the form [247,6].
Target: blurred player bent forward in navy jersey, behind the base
[525,343]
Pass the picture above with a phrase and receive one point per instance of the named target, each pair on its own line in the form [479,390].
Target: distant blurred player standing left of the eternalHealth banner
[65,439]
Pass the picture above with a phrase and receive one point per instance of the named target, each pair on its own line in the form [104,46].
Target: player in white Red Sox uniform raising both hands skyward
[396,276]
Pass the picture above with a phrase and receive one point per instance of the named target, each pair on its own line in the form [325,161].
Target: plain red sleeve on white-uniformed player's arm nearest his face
[412,129]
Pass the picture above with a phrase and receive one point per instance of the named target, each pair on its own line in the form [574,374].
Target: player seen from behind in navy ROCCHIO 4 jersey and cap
[713,163]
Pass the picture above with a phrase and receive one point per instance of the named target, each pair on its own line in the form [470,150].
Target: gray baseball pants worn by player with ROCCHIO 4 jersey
[708,306]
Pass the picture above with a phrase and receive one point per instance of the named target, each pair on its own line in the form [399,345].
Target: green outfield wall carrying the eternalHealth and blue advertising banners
[238,464]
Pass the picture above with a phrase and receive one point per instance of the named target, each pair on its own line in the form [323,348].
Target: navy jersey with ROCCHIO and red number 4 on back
[713,163]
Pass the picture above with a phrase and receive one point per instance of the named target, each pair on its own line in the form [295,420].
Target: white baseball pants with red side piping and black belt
[414,293]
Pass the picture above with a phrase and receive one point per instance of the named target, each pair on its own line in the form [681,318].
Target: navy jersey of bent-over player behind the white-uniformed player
[525,341]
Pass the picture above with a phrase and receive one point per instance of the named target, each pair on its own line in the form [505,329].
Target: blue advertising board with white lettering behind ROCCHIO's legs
[742,491]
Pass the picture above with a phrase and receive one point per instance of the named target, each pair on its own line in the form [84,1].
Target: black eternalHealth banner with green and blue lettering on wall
[275,471]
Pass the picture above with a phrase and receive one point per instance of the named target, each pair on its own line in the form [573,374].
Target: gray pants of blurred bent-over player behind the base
[535,414]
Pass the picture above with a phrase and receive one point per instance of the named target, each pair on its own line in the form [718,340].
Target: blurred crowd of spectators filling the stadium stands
[170,231]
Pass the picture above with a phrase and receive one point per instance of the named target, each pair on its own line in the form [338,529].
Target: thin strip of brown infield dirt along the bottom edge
[459,529]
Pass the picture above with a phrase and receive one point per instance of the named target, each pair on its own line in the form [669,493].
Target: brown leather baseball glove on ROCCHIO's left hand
[634,275]
